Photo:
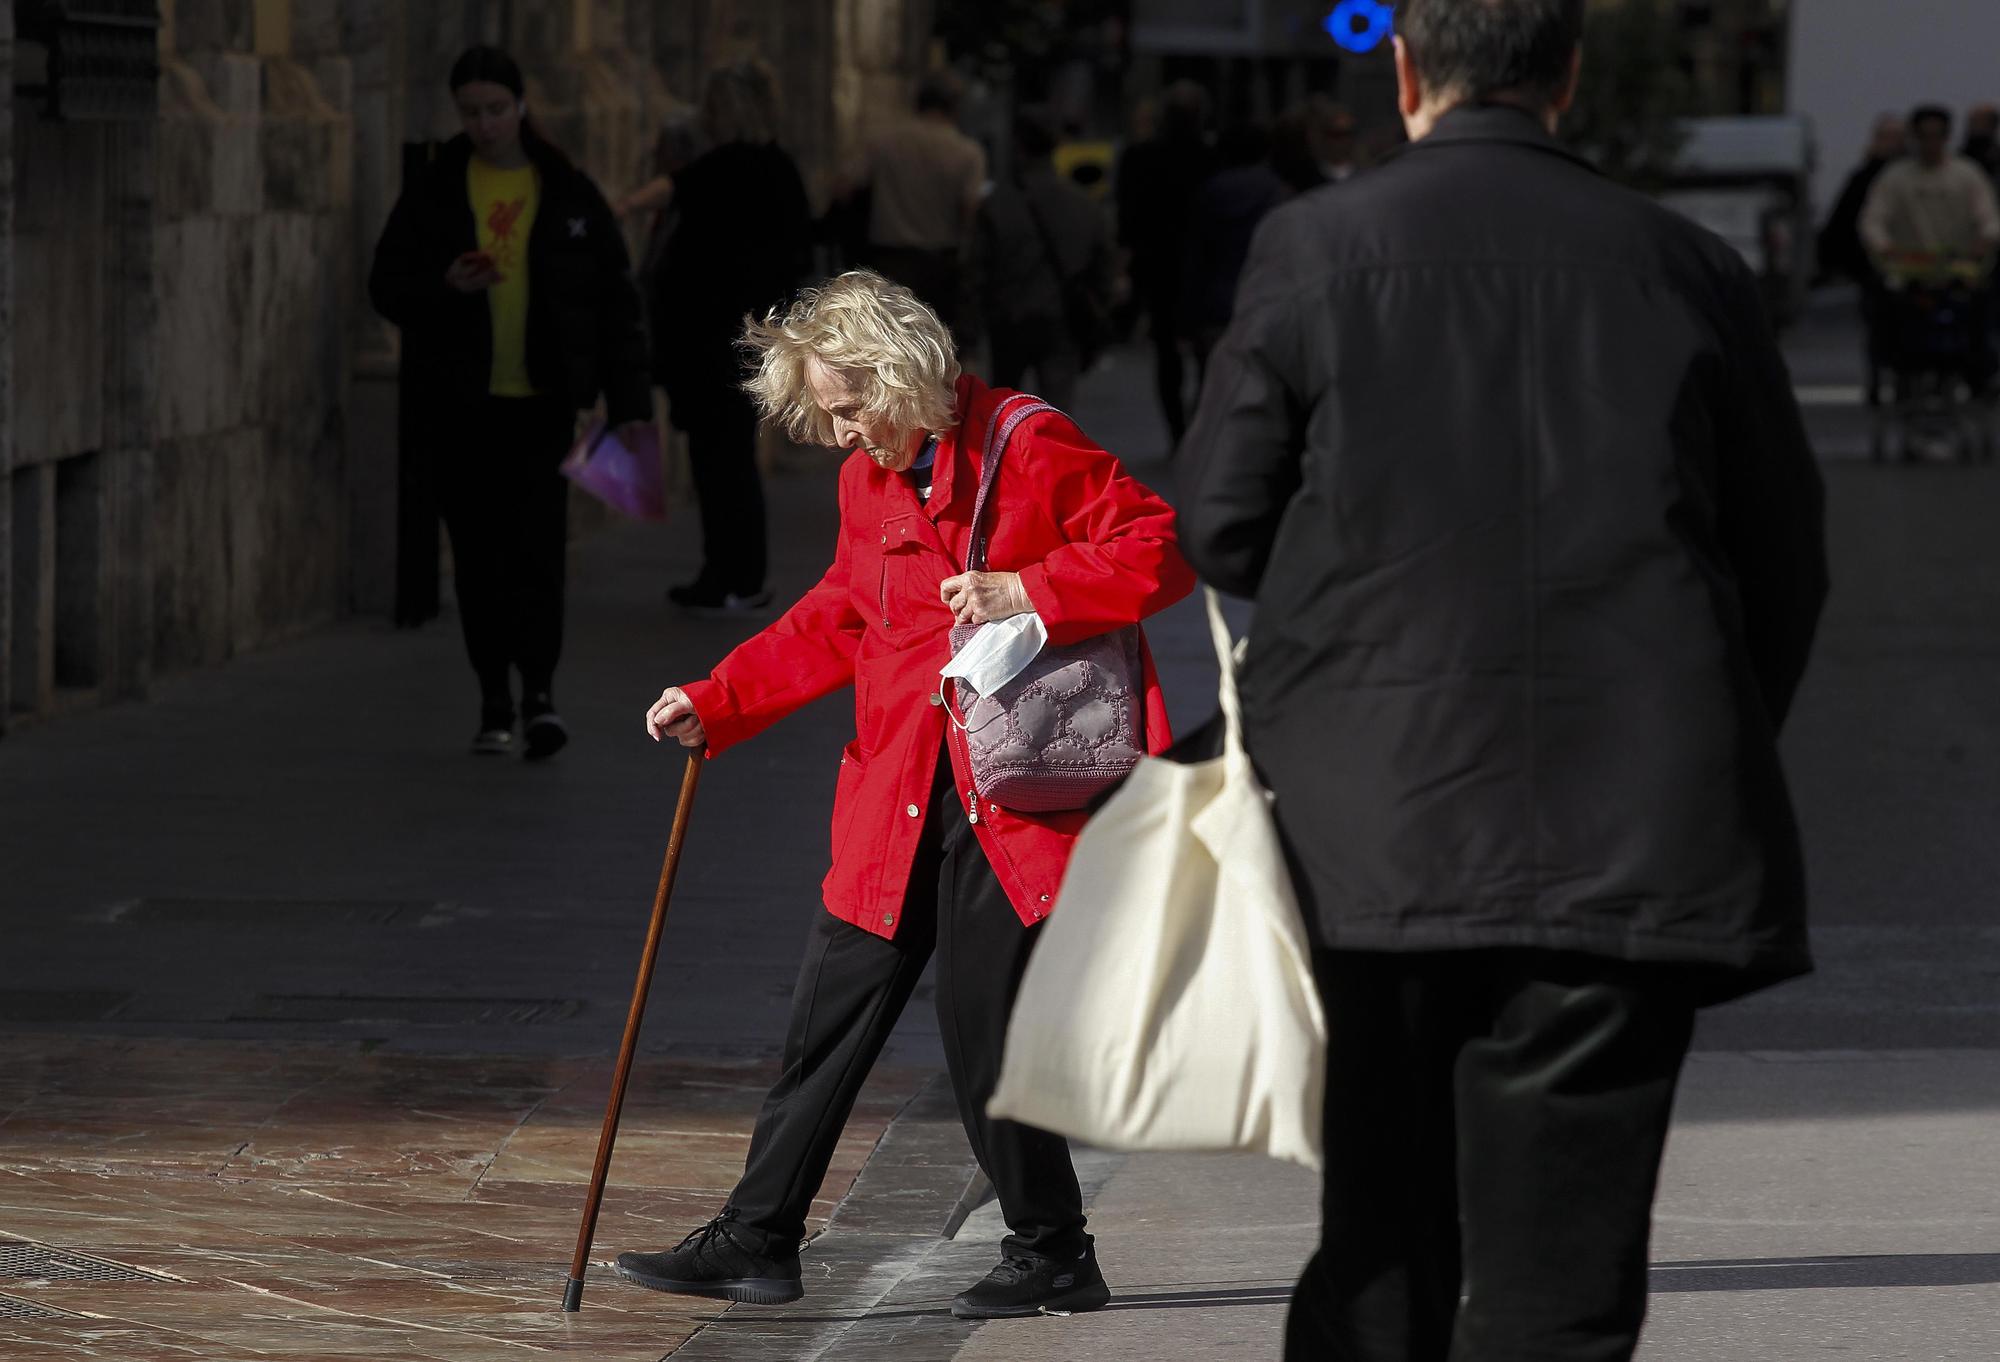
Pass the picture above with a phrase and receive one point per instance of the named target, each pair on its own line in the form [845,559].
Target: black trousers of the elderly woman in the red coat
[851,991]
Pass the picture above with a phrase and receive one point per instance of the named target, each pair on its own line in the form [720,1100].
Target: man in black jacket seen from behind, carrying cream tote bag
[1511,465]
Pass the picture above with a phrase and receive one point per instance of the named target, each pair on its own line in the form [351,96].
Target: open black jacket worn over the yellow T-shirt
[585,333]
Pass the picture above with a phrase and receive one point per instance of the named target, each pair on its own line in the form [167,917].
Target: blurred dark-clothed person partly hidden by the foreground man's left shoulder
[1225,217]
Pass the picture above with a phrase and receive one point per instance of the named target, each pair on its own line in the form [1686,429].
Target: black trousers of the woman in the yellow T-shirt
[507,509]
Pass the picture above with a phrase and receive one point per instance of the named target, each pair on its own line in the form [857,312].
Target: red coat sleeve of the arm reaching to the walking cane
[801,657]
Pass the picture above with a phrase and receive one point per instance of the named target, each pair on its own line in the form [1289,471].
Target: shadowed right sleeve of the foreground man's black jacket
[1771,505]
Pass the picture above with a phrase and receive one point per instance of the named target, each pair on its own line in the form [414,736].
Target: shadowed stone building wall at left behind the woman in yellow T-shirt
[197,405]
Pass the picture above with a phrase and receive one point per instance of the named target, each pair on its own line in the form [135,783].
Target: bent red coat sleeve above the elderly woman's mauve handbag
[1123,557]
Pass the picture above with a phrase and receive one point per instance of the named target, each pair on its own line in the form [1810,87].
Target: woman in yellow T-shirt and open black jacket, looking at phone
[513,289]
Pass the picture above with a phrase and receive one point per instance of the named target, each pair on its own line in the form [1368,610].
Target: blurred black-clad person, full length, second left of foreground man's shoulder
[1159,181]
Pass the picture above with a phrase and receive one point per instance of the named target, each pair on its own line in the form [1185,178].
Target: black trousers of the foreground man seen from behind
[1495,1125]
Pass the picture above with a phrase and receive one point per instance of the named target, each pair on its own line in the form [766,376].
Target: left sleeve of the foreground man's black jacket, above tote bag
[1241,463]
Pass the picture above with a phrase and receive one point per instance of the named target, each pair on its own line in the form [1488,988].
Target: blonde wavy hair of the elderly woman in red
[863,327]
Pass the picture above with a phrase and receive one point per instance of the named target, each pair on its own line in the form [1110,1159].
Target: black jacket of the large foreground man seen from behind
[1513,467]
